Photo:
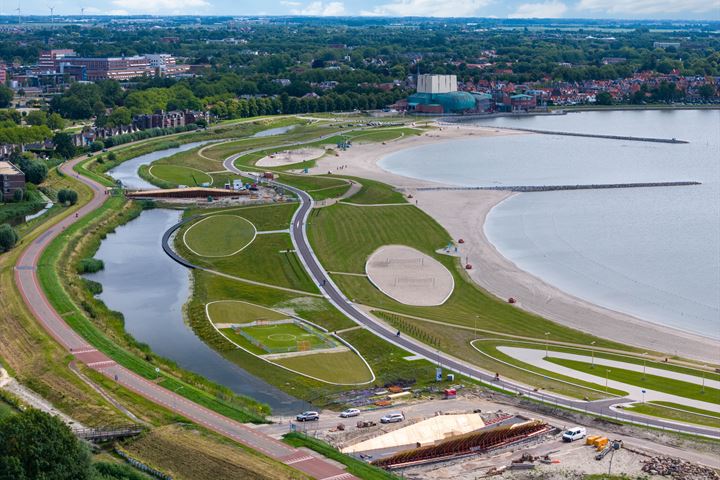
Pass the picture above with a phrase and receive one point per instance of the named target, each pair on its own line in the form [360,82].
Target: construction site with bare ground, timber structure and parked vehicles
[472,436]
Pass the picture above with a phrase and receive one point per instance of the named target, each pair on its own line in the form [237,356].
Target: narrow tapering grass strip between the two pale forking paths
[651,382]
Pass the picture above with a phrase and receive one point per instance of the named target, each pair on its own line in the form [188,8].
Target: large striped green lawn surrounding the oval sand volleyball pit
[344,236]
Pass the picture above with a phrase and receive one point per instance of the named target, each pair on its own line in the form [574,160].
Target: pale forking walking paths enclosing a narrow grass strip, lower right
[536,357]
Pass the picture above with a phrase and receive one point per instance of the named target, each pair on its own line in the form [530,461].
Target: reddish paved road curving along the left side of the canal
[27,281]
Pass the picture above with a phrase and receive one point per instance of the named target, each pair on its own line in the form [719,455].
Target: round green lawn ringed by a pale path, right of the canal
[219,235]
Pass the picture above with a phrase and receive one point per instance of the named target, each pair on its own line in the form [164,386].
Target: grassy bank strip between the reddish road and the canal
[104,329]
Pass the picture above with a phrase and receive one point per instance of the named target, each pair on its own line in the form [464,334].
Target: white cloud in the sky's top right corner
[644,7]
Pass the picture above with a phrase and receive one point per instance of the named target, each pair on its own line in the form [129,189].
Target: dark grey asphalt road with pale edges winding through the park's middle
[298,233]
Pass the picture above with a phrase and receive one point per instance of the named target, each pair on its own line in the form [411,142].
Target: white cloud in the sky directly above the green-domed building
[428,8]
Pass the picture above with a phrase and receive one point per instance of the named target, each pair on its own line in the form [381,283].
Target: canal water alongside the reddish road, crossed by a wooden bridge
[150,290]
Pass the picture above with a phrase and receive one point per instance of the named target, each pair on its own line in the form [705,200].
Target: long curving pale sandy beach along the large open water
[462,213]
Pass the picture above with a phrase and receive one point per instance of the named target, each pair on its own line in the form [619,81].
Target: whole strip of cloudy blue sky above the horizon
[626,9]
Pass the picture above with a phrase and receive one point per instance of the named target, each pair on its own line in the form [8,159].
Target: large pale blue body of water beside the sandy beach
[650,252]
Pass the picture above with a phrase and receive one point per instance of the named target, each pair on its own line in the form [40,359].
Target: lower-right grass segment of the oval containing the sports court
[337,367]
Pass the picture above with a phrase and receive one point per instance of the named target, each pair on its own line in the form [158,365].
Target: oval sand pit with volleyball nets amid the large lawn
[409,276]
